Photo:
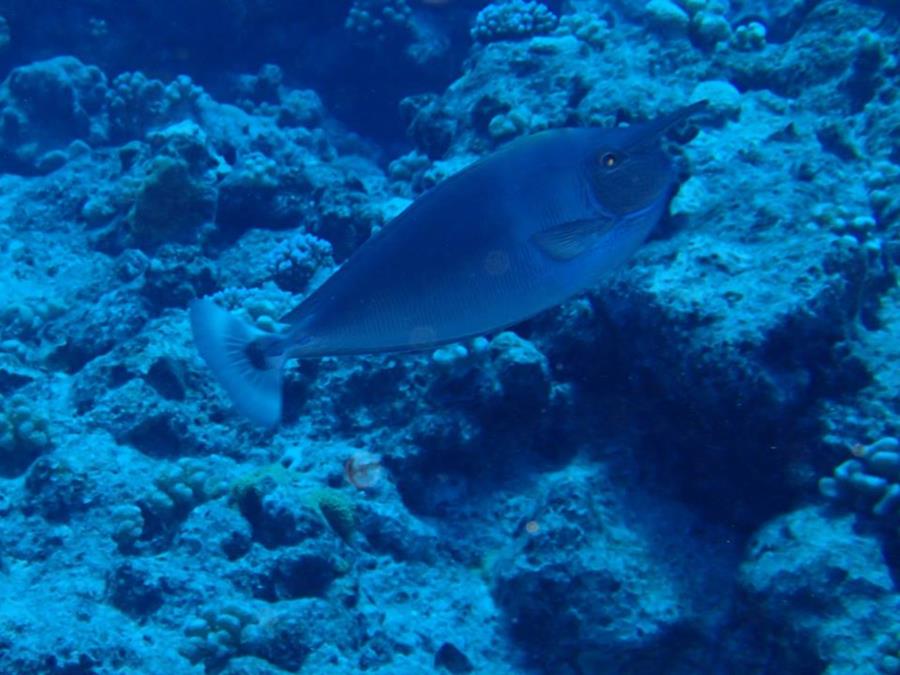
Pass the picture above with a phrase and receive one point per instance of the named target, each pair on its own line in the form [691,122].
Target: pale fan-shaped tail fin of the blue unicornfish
[238,355]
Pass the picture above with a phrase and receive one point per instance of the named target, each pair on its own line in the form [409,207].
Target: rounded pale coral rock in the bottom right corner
[846,582]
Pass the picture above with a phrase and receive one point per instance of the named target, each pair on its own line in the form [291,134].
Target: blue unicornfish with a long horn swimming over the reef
[517,232]
